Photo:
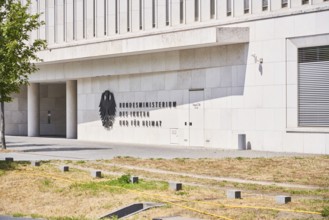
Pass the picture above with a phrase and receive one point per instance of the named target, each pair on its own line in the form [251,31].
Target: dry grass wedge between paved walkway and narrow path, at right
[298,170]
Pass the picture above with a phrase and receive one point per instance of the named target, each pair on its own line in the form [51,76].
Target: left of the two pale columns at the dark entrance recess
[33,110]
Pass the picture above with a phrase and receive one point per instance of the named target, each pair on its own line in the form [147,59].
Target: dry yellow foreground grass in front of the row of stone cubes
[45,191]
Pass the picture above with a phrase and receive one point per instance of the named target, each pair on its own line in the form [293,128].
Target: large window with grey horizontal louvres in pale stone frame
[313,87]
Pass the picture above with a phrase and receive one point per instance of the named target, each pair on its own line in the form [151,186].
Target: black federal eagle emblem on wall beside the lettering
[107,109]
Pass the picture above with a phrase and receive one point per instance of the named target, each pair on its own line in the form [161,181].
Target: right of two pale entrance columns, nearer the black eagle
[71,109]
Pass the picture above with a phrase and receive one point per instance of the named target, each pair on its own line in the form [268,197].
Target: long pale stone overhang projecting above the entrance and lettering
[141,44]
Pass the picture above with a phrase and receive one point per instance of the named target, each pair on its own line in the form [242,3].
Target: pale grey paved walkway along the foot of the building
[42,148]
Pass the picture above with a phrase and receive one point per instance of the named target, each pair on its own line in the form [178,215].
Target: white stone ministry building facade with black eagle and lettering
[192,73]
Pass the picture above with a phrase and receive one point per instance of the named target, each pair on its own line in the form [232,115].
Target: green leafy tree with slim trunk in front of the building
[17,54]
